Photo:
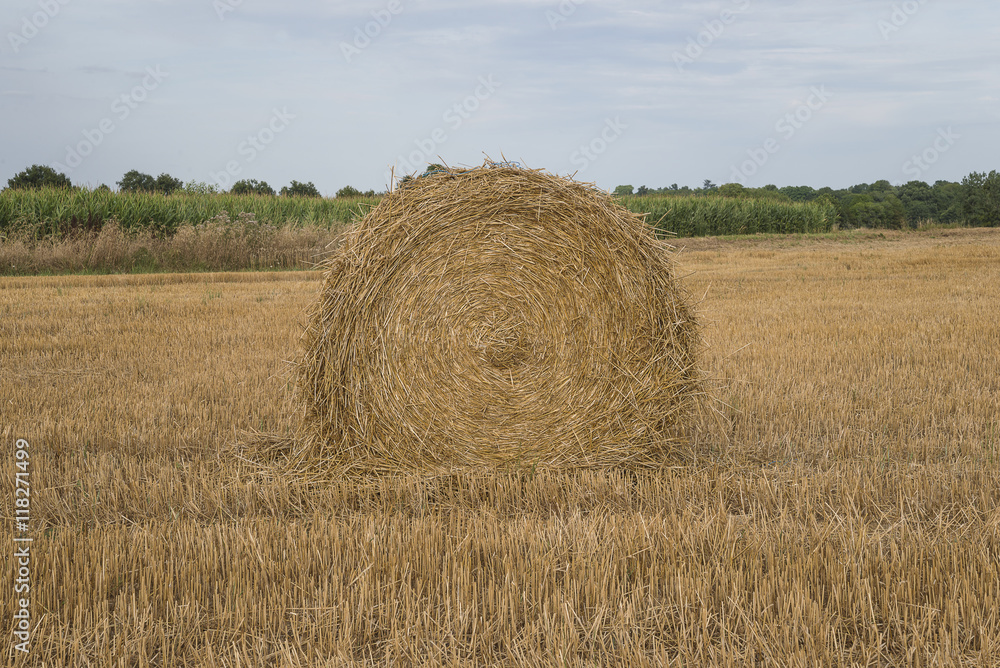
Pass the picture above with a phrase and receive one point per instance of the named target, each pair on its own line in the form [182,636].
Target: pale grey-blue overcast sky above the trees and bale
[641,93]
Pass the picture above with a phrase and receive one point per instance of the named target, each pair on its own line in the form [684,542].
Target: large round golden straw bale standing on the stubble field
[497,316]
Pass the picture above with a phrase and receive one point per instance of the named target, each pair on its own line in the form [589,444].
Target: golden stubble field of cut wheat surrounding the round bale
[844,508]
